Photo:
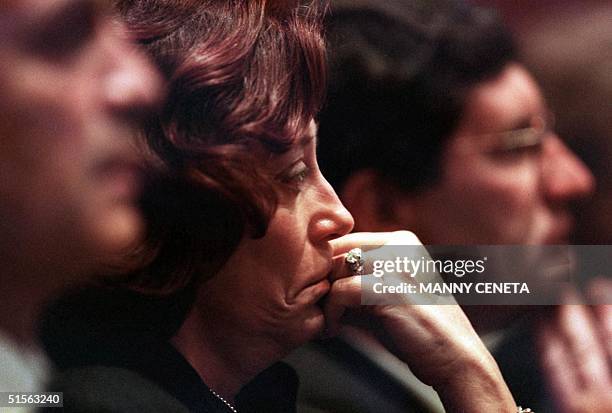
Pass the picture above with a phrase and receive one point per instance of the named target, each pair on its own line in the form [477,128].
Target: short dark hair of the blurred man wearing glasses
[400,73]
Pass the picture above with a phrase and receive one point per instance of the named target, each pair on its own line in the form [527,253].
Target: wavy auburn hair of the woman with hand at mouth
[245,78]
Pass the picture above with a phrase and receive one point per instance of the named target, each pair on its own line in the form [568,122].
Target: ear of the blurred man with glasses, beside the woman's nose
[377,204]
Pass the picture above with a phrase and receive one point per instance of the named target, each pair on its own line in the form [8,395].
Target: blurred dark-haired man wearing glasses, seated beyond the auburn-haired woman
[433,125]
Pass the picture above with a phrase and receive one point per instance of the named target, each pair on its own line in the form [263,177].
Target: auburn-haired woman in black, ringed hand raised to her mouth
[245,256]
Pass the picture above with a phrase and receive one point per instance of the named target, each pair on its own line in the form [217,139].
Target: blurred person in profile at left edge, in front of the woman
[71,92]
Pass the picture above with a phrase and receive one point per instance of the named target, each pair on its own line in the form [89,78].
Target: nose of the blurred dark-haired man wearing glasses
[566,177]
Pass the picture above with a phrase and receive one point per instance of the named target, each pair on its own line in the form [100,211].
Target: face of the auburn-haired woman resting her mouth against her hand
[271,286]
